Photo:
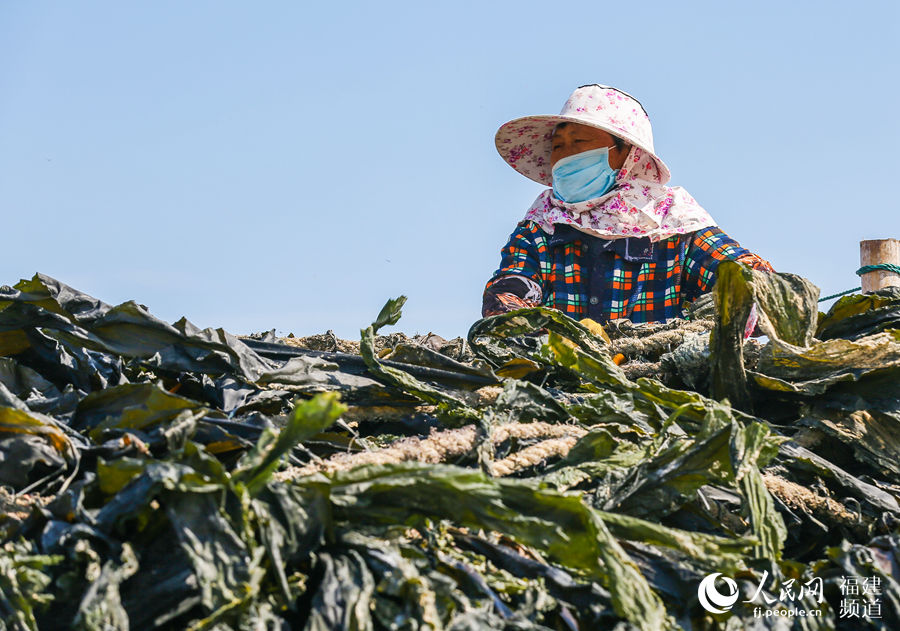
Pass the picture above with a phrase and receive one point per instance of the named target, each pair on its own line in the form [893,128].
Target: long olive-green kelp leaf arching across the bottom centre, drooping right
[561,526]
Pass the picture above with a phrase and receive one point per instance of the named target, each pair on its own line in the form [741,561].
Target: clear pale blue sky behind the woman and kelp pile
[292,165]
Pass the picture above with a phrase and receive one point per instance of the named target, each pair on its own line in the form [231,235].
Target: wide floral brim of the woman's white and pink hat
[525,144]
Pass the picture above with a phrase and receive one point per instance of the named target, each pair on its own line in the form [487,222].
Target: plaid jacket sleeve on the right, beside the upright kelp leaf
[706,249]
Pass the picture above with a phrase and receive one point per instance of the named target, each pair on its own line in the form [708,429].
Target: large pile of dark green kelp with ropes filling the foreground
[159,476]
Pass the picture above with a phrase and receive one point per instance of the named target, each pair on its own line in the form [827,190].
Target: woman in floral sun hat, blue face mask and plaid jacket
[608,240]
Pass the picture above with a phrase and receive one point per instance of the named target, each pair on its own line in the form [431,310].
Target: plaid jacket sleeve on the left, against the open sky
[518,282]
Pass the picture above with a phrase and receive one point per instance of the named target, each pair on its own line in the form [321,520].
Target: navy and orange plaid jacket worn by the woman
[602,279]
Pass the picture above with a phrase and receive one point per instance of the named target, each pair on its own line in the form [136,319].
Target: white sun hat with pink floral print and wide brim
[525,143]
